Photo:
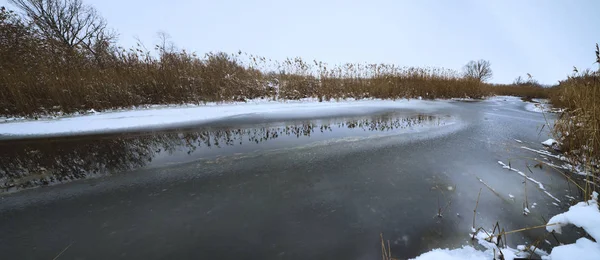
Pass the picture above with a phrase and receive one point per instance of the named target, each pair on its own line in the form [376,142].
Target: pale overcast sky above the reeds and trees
[543,38]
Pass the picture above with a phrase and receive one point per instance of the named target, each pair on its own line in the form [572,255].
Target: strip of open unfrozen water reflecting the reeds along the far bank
[37,162]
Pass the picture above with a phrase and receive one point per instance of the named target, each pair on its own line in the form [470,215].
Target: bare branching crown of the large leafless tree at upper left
[69,22]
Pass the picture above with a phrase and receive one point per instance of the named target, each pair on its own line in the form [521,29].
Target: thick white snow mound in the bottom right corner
[584,215]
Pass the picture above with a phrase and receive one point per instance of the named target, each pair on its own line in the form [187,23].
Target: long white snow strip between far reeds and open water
[172,116]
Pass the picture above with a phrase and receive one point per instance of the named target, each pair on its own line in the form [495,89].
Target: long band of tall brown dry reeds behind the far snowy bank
[40,76]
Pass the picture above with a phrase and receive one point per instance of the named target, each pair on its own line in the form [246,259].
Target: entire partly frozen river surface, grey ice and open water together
[307,189]
